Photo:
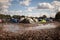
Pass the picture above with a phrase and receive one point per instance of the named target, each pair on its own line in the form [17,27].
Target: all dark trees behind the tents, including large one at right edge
[2,16]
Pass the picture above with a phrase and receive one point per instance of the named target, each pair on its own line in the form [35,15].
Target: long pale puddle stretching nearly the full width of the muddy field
[17,28]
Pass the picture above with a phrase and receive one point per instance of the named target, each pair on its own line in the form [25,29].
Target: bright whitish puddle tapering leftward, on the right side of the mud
[47,26]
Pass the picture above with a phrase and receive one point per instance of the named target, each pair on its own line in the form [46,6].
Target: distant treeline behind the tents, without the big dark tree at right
[2,16]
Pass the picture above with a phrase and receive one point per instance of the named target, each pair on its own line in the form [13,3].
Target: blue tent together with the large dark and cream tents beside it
[23,20]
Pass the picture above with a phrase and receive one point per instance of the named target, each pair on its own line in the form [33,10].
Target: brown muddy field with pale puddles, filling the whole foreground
[50,31]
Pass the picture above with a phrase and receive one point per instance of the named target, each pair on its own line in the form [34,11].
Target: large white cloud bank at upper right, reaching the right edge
[54,6]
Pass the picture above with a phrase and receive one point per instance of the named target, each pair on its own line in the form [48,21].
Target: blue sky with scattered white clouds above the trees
[30,7]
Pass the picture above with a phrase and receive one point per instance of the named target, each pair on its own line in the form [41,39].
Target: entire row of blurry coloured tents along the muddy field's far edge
[26,20]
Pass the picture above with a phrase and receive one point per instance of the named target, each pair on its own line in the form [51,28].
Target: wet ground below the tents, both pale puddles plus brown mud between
[26,27]
